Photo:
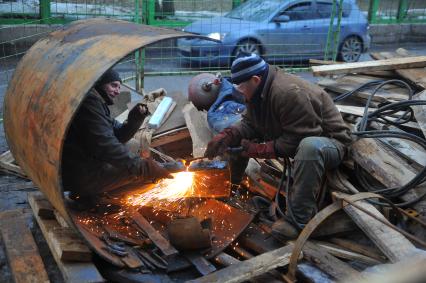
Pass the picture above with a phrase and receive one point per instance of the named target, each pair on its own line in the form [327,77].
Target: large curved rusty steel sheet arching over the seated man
[51,81]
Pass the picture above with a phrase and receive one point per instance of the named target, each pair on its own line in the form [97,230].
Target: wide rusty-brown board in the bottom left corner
[21,250]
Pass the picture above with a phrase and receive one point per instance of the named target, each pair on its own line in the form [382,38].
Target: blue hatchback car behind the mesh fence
[278,30]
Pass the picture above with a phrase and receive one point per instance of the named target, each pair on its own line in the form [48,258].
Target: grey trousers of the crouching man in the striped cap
[314,156]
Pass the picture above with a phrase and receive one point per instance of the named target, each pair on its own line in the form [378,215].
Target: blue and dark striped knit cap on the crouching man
[246,66]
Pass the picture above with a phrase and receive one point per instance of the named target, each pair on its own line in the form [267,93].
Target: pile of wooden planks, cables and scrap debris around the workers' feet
[217,235]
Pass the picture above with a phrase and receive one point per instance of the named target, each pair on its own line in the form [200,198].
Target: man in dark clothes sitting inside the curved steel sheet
[95,157]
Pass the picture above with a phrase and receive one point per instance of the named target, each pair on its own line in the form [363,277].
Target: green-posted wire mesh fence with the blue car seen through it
[284,32]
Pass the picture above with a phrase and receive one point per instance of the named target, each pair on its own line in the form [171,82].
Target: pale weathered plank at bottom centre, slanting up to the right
[250,268]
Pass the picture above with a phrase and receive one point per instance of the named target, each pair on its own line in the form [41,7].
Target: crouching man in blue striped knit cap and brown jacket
[286,116]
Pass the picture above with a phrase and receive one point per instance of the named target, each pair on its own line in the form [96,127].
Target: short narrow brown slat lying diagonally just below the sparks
[154,235]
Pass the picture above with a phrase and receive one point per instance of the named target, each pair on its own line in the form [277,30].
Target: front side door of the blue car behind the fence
[291,38]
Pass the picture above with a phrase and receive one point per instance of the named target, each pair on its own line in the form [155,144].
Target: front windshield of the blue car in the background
[255,10]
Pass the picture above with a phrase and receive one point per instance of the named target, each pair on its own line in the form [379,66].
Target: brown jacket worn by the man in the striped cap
[292,109]
